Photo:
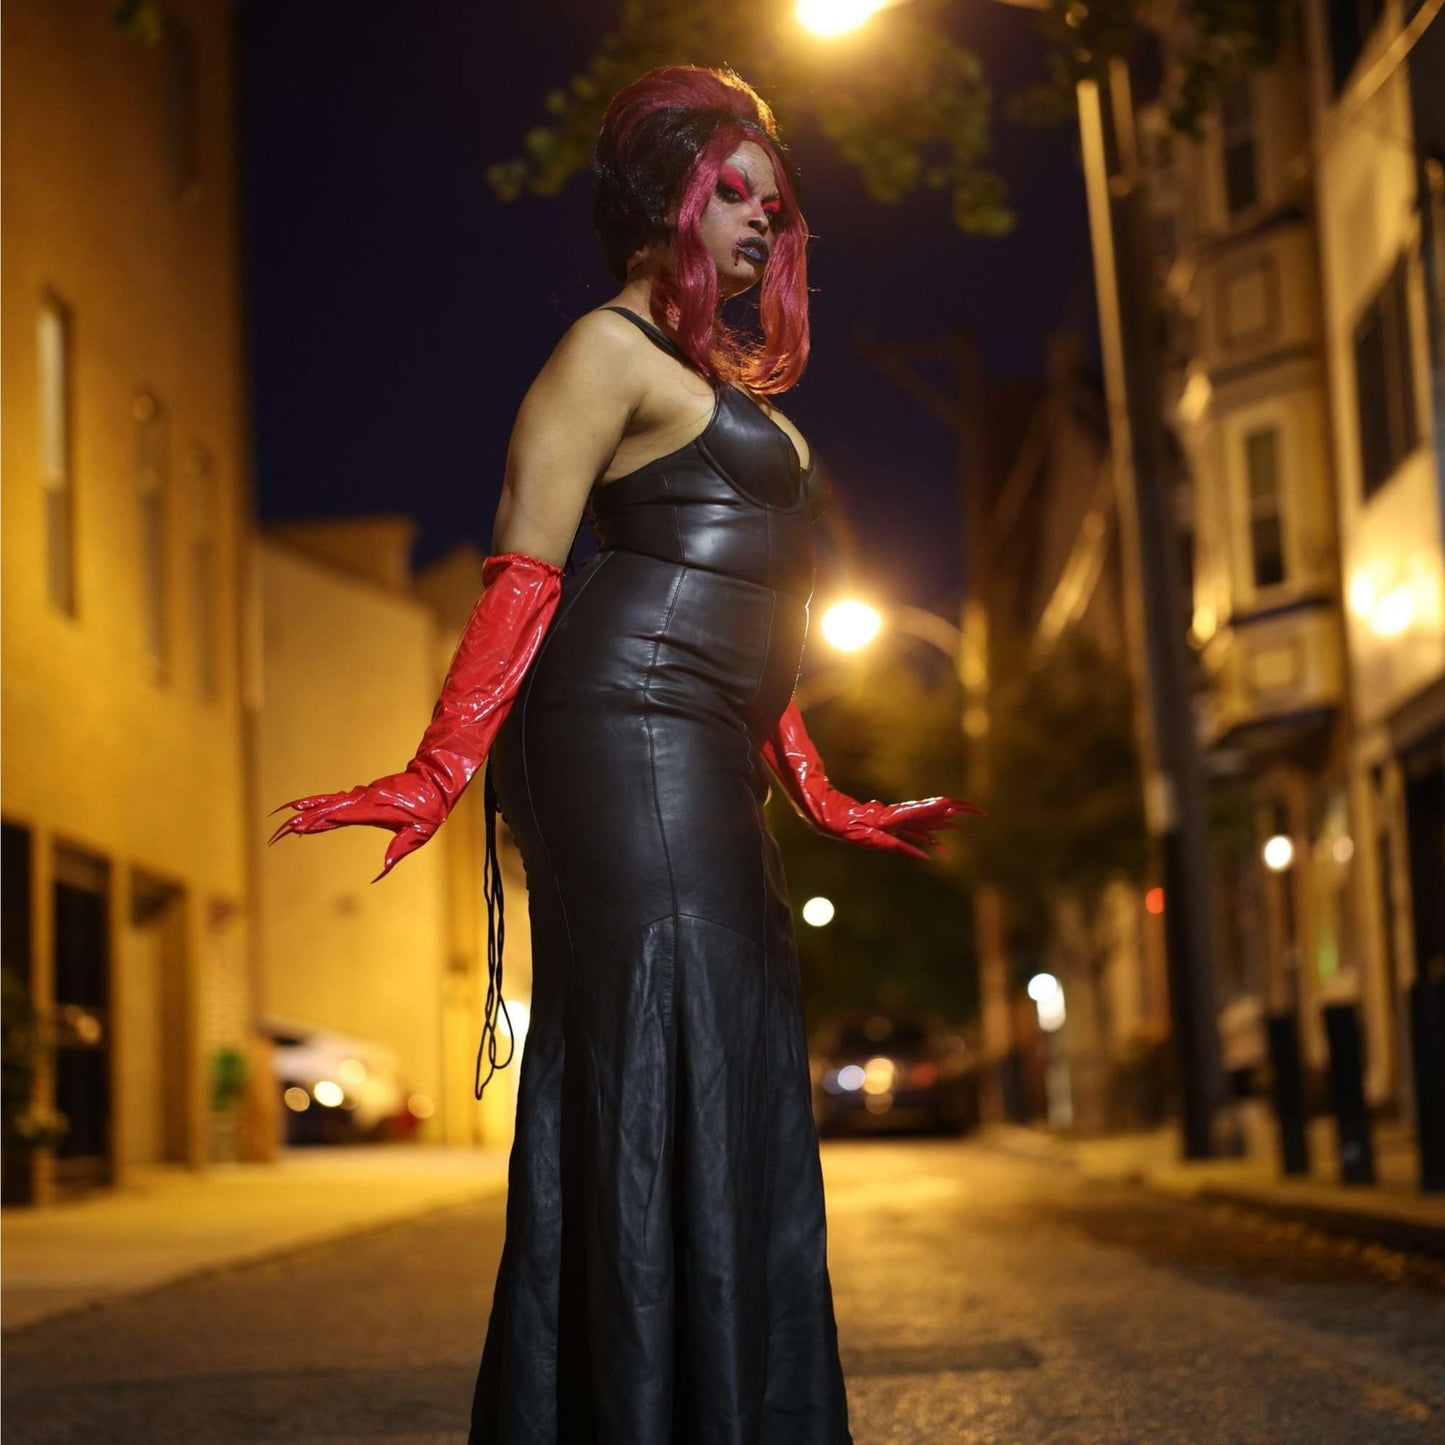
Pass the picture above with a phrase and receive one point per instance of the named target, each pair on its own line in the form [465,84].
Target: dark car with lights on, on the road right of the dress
[884,1071]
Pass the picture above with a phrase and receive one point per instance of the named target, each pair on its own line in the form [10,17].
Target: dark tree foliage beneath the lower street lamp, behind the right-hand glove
[1064,819]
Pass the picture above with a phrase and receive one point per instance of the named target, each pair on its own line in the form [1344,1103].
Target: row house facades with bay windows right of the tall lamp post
[1297,384]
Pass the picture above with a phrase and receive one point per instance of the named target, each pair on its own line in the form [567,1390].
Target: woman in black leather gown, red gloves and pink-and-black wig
[664,1275]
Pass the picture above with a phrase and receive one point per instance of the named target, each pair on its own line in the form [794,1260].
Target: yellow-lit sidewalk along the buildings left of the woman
[170,1223]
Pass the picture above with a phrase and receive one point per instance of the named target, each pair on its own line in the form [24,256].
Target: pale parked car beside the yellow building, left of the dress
[336,1089]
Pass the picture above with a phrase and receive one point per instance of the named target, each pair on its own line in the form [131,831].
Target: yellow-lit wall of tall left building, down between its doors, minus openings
[108,749]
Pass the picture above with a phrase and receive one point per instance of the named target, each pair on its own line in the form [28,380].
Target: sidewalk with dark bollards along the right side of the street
[1392,1213]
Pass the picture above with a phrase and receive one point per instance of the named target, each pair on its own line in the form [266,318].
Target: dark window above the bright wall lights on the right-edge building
[1385,382]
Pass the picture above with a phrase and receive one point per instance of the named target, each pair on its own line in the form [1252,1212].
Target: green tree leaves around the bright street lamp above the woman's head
[902,102]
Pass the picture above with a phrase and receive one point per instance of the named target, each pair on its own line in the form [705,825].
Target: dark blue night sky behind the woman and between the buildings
[398,311]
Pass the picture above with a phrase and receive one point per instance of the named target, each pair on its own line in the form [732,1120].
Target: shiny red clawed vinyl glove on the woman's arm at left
[502,639]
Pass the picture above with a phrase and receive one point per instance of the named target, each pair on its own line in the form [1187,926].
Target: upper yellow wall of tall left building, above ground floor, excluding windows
[98,745]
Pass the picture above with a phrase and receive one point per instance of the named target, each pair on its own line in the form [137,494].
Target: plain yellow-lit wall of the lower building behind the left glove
[350,681]
